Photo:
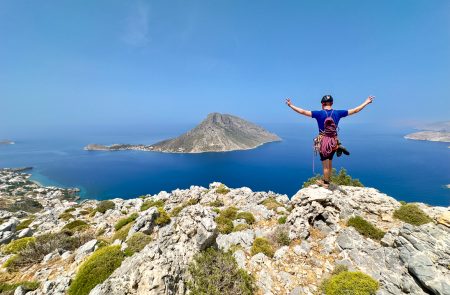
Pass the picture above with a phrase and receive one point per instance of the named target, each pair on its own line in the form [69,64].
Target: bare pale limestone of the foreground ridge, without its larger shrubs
[407,260]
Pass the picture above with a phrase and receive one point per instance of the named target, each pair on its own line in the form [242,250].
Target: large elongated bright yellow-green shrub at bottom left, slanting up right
[96,269]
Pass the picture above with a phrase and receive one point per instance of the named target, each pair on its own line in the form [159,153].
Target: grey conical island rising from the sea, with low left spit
[217,133]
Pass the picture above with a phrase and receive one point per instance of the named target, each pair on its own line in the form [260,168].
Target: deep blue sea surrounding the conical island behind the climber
[405,169]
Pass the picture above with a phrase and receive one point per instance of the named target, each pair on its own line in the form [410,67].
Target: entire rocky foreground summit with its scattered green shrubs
[287,245]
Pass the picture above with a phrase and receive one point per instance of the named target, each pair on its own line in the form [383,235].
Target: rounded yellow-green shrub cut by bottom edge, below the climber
[347,282]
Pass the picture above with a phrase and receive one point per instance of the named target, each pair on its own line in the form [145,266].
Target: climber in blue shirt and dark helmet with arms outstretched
[327,143]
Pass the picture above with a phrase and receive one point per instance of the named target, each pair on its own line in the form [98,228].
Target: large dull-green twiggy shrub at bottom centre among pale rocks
[215,272]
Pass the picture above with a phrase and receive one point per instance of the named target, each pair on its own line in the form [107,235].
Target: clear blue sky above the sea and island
[111,62]
